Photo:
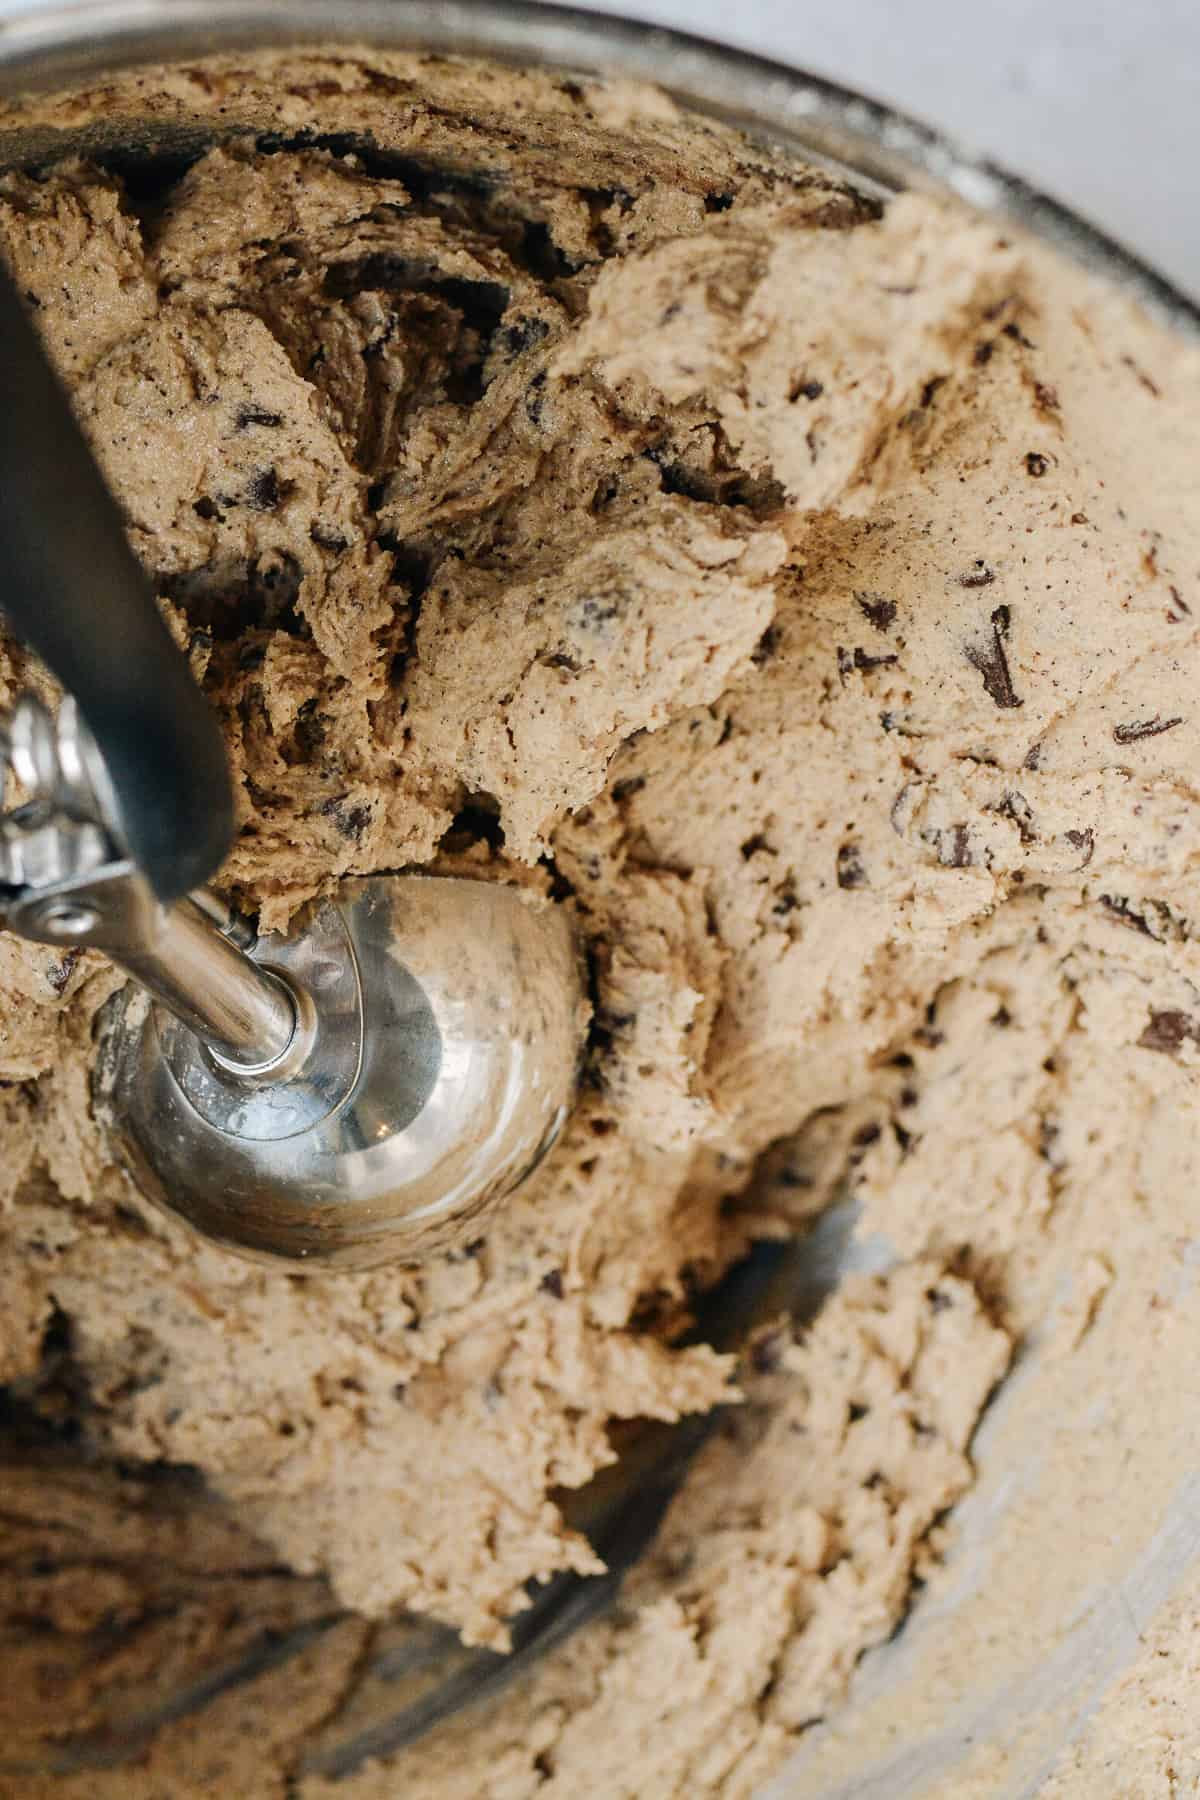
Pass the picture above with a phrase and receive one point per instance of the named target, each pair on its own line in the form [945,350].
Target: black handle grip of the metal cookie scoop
[75,593]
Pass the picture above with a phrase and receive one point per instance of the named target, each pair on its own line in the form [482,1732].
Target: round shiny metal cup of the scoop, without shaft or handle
[429,1072]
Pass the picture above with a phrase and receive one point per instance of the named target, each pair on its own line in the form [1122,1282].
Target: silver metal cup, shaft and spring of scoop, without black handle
[357,1092]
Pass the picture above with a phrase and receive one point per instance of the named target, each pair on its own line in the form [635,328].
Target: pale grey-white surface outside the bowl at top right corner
[1097,102]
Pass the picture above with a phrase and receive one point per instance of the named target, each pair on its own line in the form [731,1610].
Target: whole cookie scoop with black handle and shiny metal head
[352,1093]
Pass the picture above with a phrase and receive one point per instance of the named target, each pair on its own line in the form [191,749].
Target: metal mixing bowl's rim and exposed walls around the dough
[990,1695]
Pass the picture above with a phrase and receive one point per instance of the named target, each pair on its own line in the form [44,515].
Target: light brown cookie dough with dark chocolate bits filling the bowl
[553,489]
